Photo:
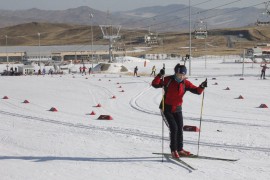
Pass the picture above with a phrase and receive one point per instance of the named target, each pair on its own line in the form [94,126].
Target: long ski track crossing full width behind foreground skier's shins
[129,132]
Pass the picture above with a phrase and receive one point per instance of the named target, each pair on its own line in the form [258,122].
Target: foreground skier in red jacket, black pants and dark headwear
[175,87]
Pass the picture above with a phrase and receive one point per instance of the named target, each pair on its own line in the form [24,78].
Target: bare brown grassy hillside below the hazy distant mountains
[219,41]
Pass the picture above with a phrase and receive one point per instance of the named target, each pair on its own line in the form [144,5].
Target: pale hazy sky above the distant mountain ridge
[115,5]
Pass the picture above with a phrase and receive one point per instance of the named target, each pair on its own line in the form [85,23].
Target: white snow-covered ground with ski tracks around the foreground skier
[36,143]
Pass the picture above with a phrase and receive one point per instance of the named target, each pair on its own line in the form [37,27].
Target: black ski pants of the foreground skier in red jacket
[174,121]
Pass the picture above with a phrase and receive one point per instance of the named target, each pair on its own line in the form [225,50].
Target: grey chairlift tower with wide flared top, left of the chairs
[112,33]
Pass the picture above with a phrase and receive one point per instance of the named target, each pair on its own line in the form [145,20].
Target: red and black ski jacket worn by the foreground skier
[174,91]
